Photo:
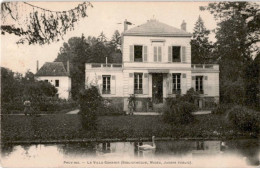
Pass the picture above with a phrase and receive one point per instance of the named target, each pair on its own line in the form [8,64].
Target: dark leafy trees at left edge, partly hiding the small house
[15,89]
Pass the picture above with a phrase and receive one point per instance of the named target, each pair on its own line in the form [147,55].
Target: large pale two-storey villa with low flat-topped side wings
[156,65]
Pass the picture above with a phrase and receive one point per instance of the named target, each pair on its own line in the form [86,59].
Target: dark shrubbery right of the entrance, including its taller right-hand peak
[179,110]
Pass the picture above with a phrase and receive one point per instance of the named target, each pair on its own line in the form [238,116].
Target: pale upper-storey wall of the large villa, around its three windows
[149,42]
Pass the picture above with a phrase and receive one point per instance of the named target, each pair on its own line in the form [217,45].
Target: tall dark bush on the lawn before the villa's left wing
[90,101]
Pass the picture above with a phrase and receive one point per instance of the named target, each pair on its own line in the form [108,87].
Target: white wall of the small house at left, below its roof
[64,85]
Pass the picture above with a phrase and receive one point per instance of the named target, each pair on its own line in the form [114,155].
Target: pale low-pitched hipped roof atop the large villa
[156,28]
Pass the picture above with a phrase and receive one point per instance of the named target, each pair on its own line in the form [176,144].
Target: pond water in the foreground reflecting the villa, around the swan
[234,153]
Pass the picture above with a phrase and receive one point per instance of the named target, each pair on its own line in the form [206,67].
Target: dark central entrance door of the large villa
[157,84]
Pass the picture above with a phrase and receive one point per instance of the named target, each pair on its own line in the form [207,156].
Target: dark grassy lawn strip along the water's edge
[65,128]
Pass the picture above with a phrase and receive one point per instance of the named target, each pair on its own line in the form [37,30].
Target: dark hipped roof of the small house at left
[52,69]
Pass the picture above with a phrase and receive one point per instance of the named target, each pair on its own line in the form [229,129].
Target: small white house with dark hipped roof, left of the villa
[56,74]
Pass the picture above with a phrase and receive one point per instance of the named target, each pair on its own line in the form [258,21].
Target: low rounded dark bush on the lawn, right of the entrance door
[178,112]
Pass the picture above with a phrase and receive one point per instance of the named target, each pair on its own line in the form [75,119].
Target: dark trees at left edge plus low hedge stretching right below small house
[15,89]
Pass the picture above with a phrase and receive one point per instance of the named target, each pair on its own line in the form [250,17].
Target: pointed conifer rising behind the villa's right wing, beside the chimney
[200,46]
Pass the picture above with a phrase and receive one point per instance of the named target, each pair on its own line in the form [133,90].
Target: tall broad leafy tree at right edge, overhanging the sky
[237,34]
